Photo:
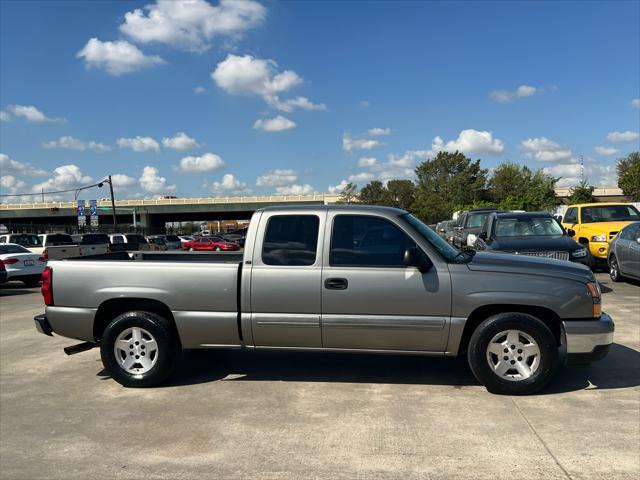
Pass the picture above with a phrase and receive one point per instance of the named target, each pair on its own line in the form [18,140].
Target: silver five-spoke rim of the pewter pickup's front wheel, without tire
[513,355]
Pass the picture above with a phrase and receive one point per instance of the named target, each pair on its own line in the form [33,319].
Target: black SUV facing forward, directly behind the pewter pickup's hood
[536,234]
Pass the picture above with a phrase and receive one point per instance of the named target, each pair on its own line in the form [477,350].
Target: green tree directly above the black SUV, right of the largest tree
[517,187]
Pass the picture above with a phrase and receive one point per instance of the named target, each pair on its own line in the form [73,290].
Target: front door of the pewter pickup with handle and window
[370,300]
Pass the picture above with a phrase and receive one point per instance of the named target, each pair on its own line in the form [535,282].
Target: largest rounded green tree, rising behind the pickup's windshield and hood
[446,183]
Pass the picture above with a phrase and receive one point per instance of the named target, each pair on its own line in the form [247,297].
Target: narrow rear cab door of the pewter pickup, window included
[285,280]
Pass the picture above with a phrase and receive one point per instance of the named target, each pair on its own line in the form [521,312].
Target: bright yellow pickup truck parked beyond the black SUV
[596,224]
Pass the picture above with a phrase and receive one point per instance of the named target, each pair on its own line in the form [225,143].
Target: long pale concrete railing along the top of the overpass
[179,201]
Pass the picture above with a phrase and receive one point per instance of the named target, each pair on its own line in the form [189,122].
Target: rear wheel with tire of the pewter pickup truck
[139,349]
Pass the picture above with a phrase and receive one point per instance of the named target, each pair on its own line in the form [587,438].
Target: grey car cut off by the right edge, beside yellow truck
[624,254]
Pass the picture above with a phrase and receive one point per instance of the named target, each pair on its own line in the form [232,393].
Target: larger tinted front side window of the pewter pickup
[366,241]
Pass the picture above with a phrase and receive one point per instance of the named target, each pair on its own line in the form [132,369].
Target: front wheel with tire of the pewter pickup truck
[513,354]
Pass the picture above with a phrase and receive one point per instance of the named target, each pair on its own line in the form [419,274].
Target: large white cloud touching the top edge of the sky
[191,24]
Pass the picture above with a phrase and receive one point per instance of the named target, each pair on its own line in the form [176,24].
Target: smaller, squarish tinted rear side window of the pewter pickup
[291,240]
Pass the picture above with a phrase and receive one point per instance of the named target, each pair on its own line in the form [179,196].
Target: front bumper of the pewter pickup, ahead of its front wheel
[587,341]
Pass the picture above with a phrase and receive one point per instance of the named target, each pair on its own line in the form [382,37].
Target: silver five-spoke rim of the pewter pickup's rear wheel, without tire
[136,350]
